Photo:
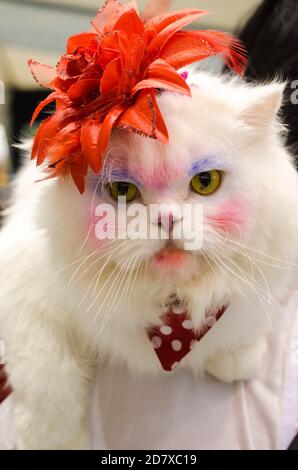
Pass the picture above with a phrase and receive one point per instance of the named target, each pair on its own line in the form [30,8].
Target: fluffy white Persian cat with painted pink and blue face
[70,301]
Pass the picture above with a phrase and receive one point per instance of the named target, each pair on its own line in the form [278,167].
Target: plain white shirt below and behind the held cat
[178,411]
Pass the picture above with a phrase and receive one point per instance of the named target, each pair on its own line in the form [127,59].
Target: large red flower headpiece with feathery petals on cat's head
[109,78]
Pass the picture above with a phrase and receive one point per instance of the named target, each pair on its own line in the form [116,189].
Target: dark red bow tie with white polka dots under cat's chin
[176,337]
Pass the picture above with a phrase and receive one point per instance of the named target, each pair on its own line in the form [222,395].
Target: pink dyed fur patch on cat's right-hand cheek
[231,216]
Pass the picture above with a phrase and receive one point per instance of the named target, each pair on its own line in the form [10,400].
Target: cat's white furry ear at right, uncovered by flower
[264,105]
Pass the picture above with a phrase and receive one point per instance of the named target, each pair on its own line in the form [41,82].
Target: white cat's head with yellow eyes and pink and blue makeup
[223,160]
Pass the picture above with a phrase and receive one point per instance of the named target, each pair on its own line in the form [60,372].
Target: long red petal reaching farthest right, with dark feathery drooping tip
[187,47]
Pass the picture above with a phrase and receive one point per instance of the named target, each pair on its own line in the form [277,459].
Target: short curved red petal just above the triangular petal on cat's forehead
[162,75]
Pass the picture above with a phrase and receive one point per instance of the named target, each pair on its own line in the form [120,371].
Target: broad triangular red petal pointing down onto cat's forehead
[145,118]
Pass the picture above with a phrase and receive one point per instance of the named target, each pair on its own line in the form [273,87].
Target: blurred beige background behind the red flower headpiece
[39,28]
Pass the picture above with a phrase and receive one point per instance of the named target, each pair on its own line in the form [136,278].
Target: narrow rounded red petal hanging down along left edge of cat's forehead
[89,141]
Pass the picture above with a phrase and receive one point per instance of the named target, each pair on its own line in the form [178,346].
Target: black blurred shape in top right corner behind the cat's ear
[271,38]
